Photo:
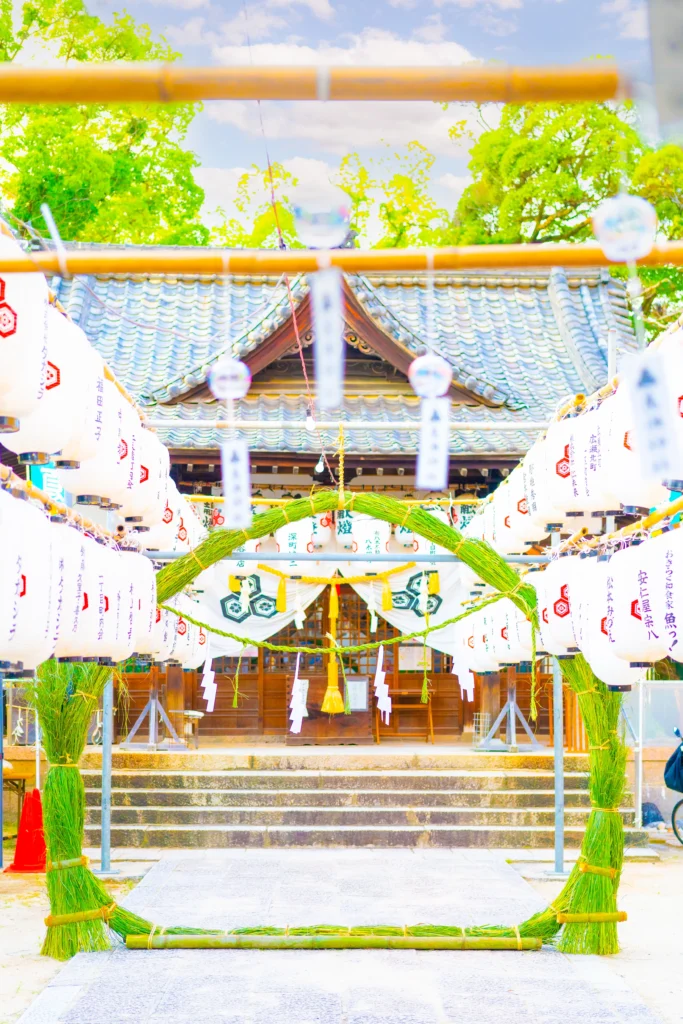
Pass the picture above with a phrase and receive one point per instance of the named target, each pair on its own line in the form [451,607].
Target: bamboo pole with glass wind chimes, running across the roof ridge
[200,262]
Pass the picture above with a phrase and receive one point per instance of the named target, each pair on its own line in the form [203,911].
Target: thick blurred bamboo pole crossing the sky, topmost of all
[163,83]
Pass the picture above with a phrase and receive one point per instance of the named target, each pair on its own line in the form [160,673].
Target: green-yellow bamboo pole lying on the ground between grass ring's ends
[328,943]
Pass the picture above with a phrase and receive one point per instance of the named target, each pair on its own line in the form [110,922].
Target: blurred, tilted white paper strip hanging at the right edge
[655,415]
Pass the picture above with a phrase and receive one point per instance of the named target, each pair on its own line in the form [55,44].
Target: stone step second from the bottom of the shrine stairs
[510,818]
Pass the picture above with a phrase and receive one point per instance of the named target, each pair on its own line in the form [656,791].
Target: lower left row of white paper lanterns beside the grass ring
[67,595]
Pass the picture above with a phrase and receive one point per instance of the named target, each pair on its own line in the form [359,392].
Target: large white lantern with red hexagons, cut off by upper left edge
[24,306]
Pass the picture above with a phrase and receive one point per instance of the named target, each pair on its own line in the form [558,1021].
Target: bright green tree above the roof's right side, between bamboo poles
[543,172]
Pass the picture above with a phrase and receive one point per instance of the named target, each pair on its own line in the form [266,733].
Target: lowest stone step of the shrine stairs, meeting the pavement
[219,837]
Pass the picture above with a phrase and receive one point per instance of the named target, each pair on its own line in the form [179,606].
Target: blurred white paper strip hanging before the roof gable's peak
[326,293]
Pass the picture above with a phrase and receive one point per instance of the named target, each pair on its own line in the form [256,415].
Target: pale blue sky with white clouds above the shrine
[310,138]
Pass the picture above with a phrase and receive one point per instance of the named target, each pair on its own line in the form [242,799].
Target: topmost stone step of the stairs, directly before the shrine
[382,758]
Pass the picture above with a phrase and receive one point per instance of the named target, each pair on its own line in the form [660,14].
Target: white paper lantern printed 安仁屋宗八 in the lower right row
[632,631]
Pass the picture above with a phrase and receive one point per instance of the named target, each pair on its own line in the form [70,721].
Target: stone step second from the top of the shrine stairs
[312,780]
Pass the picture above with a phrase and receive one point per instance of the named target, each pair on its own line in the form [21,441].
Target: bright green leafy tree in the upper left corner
[108,174]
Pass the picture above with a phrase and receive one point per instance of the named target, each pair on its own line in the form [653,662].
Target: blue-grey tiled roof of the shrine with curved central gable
[533,337]
